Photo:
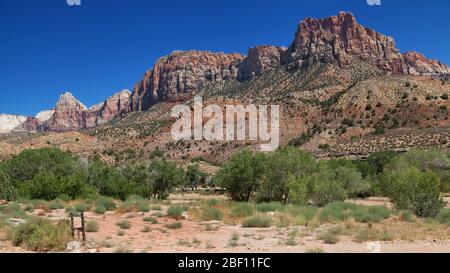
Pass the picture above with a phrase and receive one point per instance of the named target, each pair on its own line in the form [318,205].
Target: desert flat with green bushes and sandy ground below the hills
[313,205]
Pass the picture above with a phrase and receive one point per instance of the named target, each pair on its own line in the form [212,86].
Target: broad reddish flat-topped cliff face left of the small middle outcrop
[183,72]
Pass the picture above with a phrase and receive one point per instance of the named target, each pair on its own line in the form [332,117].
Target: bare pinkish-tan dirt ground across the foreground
[216,236]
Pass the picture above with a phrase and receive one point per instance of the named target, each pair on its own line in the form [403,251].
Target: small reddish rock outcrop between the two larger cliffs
[259,60]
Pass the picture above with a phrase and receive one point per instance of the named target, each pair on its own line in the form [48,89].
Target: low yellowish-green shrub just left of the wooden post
[42,235]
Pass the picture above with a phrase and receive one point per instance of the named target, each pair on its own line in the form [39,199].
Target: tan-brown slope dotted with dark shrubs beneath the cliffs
[324,109]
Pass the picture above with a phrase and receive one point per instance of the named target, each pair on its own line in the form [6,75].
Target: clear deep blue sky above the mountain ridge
[48,47]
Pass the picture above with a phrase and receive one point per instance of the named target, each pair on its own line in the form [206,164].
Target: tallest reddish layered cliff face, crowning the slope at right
[340,38]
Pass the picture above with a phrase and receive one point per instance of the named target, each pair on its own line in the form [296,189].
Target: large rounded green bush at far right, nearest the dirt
[412,189]
